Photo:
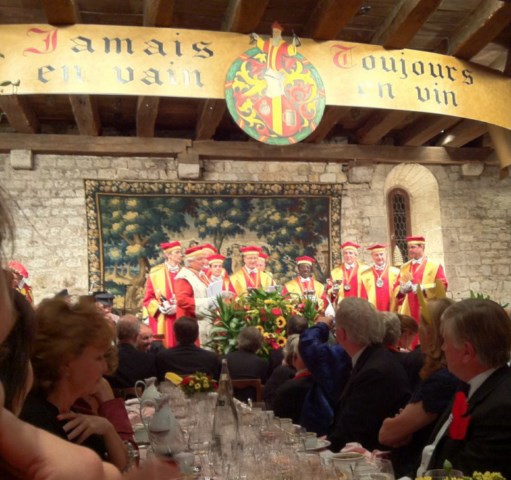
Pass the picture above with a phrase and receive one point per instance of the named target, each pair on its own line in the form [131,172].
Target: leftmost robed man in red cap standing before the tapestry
[159,295]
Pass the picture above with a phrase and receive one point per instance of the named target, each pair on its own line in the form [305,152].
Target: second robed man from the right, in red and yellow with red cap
[378,281]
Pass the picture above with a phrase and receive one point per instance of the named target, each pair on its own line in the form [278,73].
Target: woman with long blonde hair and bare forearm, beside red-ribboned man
[414,424]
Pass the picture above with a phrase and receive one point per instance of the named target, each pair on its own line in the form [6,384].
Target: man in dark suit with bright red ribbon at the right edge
[477,344]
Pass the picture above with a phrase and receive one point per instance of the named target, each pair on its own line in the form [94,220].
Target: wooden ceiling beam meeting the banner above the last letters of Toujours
[480,28]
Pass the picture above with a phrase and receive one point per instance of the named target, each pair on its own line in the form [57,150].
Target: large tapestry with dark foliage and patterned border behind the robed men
[127,221]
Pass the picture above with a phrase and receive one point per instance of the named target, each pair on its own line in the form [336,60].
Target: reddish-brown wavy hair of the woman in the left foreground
[63,332]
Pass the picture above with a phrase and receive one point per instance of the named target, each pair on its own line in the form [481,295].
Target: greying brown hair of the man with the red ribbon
[482,323]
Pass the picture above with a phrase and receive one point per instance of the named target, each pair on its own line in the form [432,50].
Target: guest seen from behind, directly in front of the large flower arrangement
[244,363]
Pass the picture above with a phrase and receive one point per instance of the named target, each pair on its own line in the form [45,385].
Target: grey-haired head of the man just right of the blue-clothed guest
[361,321]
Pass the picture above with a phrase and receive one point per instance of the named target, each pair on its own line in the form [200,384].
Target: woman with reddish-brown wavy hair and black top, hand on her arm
[69,363]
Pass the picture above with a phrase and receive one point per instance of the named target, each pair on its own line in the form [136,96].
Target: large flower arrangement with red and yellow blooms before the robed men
[267,311]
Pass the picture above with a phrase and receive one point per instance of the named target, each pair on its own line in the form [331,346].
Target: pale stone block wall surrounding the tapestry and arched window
[48,201]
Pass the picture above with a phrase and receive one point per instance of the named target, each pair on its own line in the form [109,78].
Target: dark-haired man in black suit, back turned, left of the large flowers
[186,358]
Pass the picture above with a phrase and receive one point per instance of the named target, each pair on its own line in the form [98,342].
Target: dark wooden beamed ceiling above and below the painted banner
[476,30]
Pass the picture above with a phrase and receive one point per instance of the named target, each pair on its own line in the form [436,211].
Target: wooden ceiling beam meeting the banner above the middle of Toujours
[405,20]
